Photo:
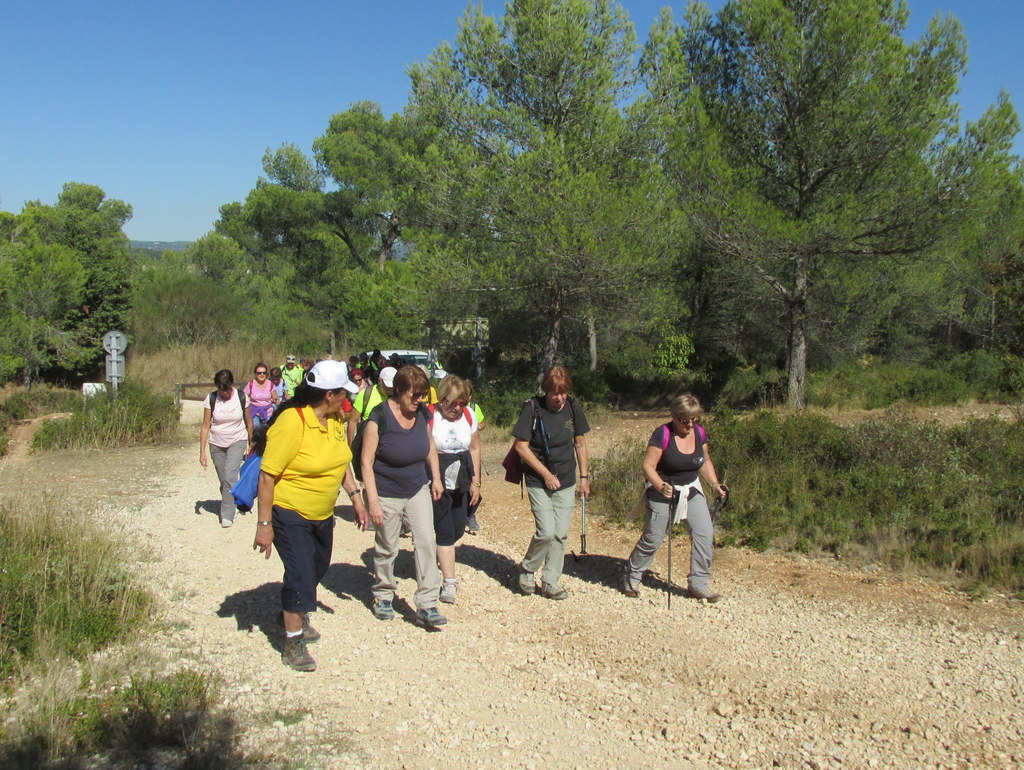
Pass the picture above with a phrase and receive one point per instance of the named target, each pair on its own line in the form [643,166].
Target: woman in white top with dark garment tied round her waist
[458,441]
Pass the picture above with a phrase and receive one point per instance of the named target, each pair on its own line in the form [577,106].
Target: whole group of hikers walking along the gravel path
[314,430]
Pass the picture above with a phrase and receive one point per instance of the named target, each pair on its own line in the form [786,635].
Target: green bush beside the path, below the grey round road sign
[137,416]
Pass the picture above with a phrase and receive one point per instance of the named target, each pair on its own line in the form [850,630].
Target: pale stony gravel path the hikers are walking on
[804,665]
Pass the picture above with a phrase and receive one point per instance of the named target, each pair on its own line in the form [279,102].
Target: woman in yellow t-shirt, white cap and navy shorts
[307,460]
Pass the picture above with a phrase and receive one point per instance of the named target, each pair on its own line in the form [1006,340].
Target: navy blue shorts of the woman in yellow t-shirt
[305,547]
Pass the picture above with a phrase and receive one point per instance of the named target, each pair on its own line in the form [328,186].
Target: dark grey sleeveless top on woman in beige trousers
[401,465]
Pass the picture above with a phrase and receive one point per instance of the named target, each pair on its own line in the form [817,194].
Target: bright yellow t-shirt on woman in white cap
[311,460]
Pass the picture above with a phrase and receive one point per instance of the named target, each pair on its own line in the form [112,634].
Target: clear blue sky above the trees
[169,107]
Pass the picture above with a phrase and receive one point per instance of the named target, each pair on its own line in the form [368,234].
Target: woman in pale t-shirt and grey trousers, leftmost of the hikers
[228,429]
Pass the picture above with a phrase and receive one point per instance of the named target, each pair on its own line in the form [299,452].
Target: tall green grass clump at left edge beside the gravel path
[62,586]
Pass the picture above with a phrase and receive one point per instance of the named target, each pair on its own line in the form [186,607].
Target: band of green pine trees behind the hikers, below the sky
[741,199]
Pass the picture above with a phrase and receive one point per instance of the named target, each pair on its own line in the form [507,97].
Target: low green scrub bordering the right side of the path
[890,490]
